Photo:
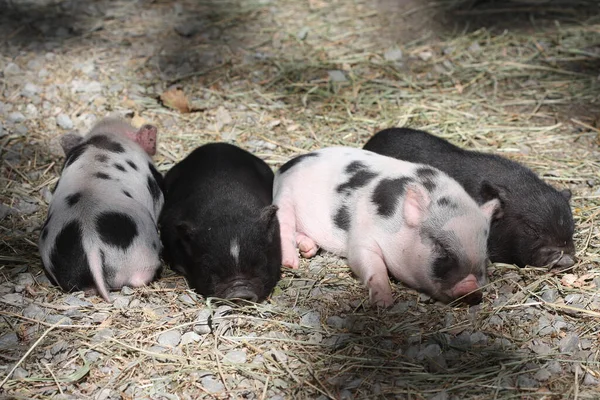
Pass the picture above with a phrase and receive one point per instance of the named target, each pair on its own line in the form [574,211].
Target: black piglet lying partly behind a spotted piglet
[536,227]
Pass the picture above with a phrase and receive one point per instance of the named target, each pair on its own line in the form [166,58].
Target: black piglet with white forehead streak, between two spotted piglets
[218,225]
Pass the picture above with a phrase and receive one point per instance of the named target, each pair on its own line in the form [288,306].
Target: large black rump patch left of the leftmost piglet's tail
[69,261]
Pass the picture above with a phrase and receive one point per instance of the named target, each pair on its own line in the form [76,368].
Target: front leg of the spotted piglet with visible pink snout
[368,265]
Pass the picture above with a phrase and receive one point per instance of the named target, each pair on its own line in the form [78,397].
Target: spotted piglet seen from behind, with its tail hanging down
[101,232]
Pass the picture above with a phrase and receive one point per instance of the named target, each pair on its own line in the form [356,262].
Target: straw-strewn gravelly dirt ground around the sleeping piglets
[279,78]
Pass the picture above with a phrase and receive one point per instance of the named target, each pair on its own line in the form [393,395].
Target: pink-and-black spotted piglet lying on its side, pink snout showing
[384,214]
